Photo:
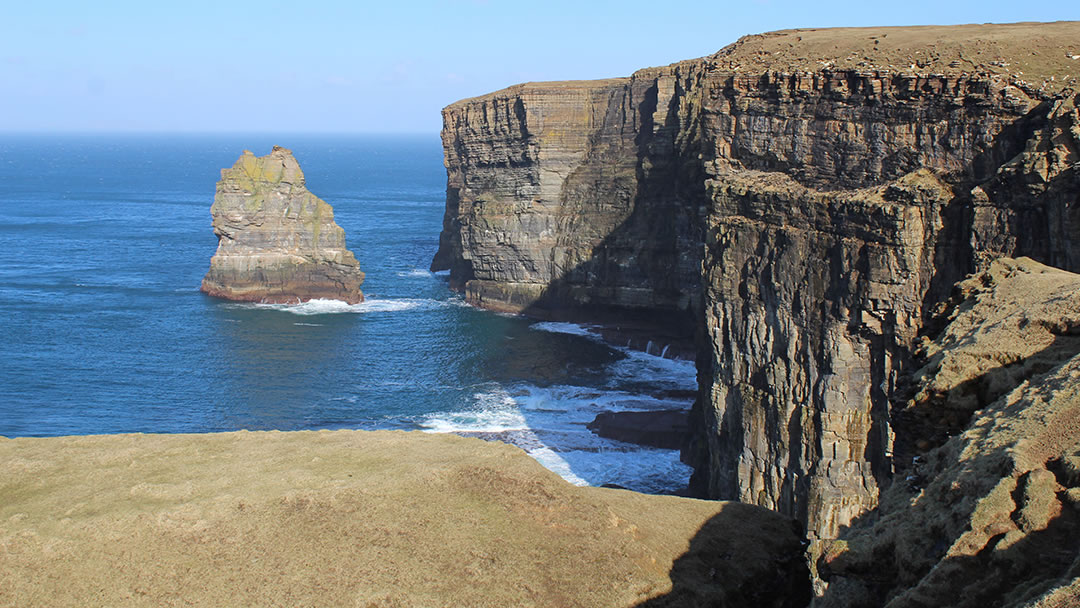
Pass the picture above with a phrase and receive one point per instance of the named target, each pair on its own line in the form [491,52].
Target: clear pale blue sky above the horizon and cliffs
[360,67]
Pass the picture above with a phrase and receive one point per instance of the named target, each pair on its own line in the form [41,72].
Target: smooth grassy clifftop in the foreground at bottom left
[362,519]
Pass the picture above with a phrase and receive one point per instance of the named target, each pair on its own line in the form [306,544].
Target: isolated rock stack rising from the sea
[277,241]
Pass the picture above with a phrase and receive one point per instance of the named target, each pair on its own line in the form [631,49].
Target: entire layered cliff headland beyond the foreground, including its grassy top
[805,199]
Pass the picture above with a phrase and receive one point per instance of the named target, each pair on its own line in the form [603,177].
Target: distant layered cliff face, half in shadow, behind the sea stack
[571,196]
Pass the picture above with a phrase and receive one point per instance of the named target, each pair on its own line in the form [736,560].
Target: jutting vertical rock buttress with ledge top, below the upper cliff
[812,300]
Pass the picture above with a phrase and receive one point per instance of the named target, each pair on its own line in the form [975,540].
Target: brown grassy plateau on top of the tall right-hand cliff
[1043,55]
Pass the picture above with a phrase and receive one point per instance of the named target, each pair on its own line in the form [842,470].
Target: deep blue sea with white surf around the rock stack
[104,240]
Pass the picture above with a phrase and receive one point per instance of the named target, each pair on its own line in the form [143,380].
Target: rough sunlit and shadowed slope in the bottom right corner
[992,518]
